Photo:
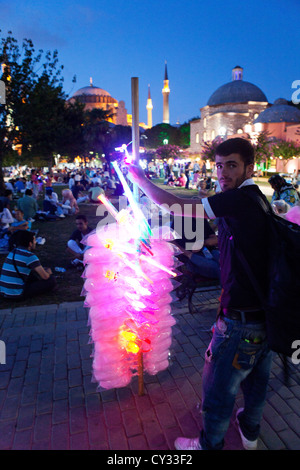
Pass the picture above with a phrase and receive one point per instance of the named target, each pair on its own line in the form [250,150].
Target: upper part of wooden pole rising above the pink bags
[135,128]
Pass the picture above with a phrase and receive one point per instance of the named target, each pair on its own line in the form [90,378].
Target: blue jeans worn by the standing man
[237,355]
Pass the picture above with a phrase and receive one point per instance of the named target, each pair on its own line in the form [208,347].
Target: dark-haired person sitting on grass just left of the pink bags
[75,247]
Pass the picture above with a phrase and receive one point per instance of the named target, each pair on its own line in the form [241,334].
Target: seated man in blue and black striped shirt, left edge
[22,274]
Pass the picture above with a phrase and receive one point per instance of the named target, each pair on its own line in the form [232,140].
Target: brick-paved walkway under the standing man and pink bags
[47,399]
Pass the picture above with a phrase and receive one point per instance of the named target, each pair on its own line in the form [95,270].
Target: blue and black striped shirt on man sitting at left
[11,284]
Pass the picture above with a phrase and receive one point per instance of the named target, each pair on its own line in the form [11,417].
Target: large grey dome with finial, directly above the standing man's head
[236,91]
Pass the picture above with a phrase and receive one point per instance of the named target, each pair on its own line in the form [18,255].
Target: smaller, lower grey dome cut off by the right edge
[280,111]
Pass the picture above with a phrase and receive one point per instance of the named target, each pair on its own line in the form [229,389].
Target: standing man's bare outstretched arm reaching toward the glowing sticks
[167,199]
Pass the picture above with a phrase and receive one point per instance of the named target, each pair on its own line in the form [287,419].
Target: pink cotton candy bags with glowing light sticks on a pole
[127,287]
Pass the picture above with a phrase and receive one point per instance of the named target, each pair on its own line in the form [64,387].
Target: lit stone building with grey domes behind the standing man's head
[240,108]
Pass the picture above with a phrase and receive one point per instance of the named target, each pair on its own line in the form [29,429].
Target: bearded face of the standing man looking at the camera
[232,171]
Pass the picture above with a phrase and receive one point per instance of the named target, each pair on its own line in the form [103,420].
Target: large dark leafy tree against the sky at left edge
[35,114]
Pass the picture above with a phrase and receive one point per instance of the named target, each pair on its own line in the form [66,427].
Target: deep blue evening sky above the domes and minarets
[112,41]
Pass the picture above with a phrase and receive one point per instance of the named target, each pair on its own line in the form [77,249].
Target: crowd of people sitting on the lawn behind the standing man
[28,199]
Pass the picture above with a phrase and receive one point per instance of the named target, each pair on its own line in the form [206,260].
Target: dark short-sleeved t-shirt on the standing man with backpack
[248,225]
